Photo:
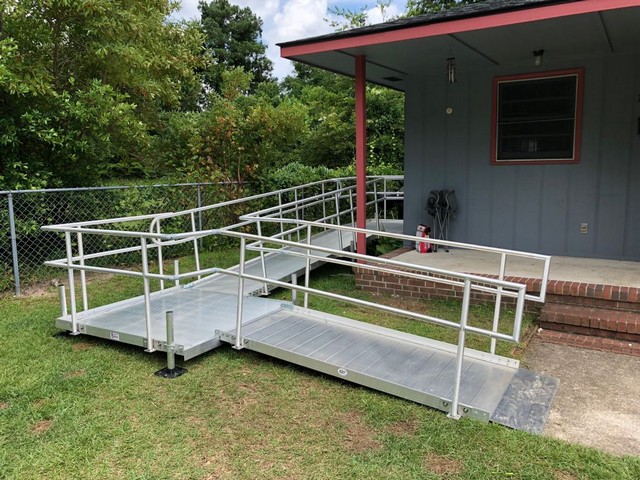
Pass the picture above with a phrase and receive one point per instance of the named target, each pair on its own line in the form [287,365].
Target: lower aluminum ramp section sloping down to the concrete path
[408,366]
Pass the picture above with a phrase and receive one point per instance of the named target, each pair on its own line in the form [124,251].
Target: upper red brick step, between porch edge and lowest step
[602,322]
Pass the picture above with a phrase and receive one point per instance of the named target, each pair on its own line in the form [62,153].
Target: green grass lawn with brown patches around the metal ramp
[84,408]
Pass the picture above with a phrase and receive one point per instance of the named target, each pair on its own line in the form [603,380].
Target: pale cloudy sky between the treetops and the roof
[286,20]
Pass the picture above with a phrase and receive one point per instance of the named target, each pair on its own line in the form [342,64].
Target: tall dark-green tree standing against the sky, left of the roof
[232,39]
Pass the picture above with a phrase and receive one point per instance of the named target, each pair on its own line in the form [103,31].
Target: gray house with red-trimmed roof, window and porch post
[528,109]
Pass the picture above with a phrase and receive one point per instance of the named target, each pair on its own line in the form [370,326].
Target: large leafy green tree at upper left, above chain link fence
[82,82]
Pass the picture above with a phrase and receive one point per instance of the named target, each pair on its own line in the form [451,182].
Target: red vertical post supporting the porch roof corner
[361,151]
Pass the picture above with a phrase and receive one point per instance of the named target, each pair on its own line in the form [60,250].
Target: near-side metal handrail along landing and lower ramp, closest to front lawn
[308,250]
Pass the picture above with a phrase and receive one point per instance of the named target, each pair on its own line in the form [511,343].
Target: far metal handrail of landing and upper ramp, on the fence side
[146,231]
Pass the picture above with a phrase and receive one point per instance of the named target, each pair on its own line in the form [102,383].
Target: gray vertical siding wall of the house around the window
[536,208]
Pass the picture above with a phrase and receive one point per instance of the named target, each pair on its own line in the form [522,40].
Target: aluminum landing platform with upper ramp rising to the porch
[201,307]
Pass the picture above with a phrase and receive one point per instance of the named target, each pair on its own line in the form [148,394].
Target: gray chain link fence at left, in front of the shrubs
[24,246]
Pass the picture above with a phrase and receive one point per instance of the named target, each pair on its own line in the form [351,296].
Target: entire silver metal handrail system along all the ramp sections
[330,201]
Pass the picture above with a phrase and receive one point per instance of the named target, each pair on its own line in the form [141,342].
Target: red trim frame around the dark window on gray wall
[579,72]
